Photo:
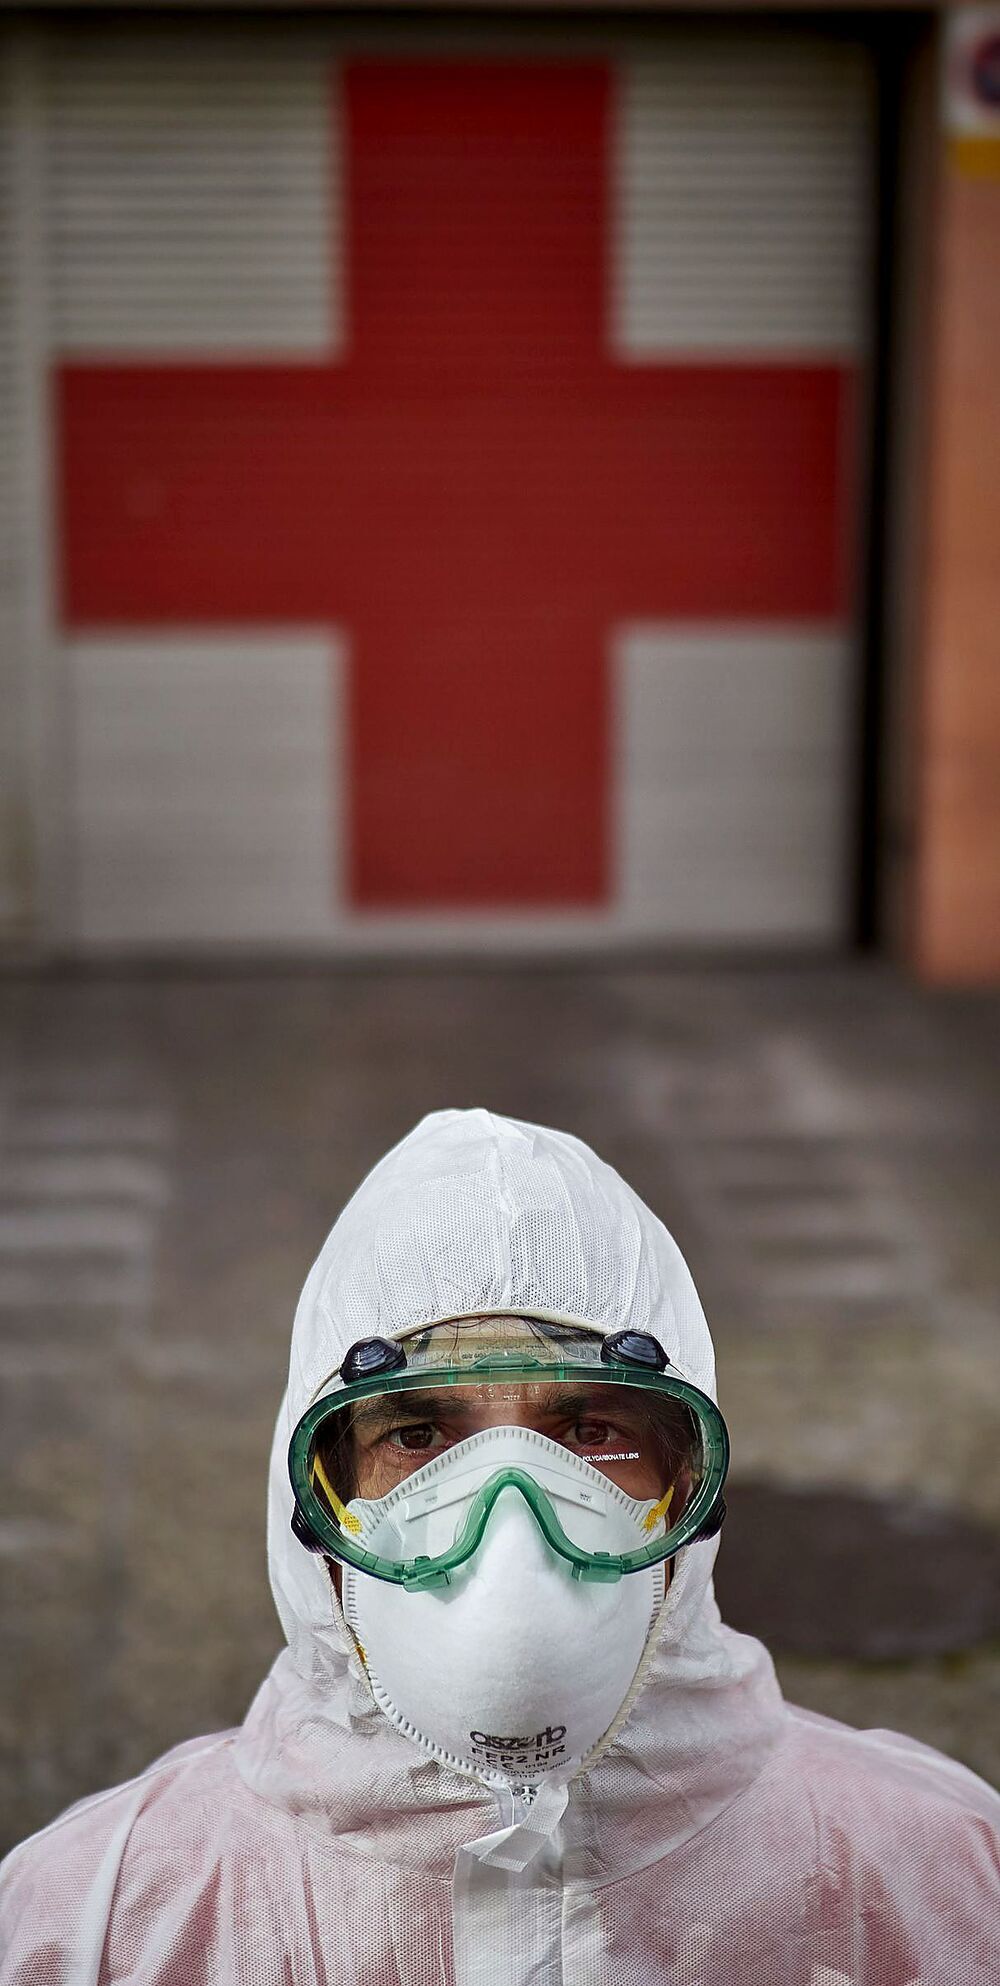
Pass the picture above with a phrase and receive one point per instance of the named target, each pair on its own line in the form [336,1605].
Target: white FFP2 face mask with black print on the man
[515,1669]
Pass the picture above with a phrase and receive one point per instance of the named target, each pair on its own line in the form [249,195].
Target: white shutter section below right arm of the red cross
[731,781]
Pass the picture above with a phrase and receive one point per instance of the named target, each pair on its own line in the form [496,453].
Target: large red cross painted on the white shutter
[475,490]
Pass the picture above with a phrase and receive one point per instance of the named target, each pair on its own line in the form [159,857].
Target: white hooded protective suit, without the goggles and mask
[721,1838]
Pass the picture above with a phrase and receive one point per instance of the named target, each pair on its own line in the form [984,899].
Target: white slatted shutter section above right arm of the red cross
[743,196]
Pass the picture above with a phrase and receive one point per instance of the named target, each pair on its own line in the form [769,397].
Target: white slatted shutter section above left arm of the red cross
[193,194]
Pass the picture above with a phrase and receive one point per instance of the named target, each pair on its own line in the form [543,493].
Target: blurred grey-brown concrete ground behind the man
[174,1149]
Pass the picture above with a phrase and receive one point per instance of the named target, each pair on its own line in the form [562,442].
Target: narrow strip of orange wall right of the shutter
[957,883]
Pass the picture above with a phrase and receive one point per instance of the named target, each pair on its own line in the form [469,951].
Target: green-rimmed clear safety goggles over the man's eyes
[390,1481]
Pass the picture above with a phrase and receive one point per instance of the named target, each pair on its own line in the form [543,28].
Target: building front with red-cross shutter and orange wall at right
[501,482]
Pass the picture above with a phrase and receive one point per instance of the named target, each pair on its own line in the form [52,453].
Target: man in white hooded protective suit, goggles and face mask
[511,1741]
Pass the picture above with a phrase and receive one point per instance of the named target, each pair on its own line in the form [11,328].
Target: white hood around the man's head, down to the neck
[469,1214]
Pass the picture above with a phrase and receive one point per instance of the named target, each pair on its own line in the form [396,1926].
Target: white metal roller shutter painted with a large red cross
[457,458]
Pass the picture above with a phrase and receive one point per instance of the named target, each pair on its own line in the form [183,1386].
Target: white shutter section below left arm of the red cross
[207,787]
